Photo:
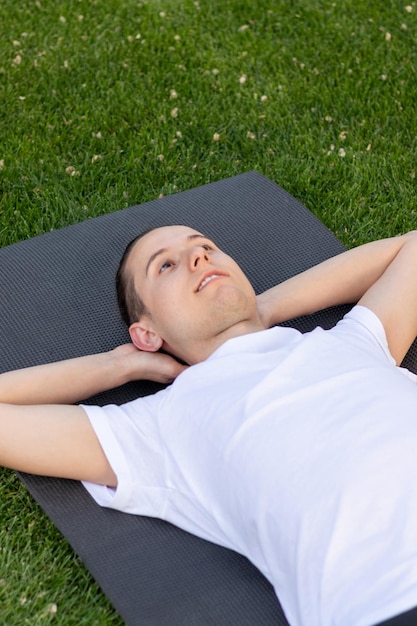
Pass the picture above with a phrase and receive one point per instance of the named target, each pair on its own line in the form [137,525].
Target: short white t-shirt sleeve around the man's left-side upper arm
[129,436]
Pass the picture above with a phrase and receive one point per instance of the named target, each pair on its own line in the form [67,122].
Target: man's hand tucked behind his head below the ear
[155,366]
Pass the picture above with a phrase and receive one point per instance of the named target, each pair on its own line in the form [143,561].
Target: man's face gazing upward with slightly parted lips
[193,291]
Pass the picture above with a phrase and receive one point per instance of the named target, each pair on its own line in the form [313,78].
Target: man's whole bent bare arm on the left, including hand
[58,439]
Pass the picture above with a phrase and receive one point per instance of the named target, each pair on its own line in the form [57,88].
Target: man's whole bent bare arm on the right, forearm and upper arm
[380,275]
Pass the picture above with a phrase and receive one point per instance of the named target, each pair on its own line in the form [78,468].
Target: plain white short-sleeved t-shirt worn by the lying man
[298,451]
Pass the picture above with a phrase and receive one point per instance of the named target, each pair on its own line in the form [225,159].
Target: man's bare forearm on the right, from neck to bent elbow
[339,280]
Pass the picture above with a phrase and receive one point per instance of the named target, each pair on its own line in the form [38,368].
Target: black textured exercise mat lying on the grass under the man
[58,301]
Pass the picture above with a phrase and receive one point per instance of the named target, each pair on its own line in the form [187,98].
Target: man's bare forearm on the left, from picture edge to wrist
[64,382]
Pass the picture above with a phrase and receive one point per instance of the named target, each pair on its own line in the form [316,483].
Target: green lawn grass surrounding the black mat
[89,124]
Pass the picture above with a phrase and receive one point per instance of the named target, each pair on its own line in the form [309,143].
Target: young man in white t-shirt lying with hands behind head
[295,450]
